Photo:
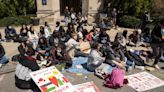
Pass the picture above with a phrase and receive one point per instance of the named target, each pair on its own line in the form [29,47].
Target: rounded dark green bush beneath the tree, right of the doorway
[129,22]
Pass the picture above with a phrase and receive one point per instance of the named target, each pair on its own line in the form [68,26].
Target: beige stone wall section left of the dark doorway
[49,12]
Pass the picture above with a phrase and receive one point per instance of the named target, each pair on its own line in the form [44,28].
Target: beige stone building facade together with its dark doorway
[52,10]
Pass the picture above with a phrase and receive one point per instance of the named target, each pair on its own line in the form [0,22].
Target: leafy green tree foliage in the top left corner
[16,7]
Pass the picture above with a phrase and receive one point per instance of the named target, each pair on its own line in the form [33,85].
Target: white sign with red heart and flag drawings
[51,80]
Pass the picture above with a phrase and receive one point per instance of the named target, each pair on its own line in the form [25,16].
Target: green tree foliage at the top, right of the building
[130,7]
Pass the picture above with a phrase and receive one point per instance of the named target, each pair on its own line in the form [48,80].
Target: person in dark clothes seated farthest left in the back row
[10,33]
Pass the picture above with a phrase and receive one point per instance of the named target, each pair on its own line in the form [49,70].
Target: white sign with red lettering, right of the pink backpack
[144,81]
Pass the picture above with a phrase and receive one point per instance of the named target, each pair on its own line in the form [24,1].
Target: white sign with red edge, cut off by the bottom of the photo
[87,87]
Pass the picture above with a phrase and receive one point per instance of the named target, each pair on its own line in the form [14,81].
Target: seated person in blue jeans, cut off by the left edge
[3,58]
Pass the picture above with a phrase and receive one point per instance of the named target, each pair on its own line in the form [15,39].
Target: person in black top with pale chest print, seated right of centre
[104,37]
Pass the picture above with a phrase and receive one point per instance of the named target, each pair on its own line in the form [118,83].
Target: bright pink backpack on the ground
[116,79]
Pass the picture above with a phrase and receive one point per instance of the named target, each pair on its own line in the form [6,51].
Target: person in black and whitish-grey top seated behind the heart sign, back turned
[27,63]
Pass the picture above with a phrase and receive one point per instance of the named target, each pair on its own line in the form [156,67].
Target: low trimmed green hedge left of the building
[17,20]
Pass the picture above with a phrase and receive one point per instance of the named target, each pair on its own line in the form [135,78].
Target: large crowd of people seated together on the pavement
[44,48]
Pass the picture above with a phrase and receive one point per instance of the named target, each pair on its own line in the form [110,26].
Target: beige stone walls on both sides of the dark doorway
[53,9]
